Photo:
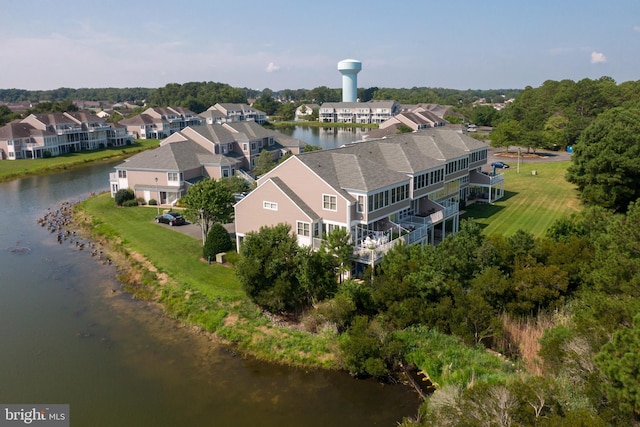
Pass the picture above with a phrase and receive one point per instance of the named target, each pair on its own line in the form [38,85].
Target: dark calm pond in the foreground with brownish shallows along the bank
[69,335]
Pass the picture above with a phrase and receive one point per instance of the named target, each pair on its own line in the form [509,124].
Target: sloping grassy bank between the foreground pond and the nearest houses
[191,290]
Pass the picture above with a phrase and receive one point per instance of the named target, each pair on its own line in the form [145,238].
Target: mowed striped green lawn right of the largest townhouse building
[531,203]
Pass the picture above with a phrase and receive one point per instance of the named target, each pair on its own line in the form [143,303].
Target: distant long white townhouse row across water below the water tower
[358,112]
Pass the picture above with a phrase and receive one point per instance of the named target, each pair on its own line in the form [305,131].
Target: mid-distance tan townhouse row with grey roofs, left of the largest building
[195,153]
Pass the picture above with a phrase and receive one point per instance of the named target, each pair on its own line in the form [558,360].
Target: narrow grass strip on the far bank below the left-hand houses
[13,169]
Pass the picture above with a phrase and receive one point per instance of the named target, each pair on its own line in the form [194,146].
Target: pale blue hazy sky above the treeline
[457,44]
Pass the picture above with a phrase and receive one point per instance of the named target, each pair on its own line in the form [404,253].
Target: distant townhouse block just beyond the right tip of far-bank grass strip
[158,123]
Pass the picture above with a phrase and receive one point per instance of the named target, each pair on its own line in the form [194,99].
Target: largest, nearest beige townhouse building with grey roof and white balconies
[403,188]
